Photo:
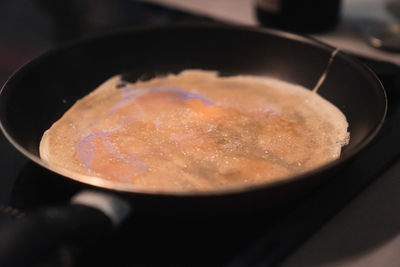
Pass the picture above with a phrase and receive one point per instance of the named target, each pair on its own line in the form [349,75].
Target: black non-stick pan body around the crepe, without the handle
[42,90]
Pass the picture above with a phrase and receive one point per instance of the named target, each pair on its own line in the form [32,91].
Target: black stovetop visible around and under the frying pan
[31,27]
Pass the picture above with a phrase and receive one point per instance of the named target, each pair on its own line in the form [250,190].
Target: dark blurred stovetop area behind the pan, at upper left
[31,27]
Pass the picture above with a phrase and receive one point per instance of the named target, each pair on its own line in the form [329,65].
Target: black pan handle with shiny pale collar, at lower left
[90,217]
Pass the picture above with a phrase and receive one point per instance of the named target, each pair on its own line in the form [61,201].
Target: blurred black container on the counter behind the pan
[305,16]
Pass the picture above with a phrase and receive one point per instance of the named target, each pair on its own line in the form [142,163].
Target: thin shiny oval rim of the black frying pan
[128,188]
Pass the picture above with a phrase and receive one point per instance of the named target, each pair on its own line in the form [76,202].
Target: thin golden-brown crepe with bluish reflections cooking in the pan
[195,131]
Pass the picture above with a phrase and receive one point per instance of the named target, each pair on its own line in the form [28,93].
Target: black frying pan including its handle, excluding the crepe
[42,90]
